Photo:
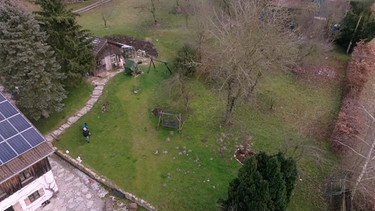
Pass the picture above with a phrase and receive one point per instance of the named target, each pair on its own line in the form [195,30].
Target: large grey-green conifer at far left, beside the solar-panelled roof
[28,69]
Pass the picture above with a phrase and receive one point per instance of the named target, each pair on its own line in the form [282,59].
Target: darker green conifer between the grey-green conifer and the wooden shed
[71,43]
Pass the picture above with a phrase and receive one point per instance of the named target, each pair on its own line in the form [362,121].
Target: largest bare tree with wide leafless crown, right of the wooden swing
[245,43]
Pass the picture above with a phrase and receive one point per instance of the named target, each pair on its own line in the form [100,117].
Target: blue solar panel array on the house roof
[17,135]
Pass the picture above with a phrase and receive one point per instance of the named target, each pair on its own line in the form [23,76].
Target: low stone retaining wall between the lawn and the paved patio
[105,181]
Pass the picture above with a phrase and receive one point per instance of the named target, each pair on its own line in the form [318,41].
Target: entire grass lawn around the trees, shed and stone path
[192,170]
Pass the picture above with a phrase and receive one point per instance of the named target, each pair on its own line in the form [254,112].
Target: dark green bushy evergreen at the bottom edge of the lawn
[264,183]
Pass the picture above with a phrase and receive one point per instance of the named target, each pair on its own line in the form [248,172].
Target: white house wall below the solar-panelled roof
[47,182]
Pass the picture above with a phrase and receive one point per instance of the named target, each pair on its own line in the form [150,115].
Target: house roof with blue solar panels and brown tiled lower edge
[21,144]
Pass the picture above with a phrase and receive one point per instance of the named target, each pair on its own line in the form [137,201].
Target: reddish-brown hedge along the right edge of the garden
[350,119]
